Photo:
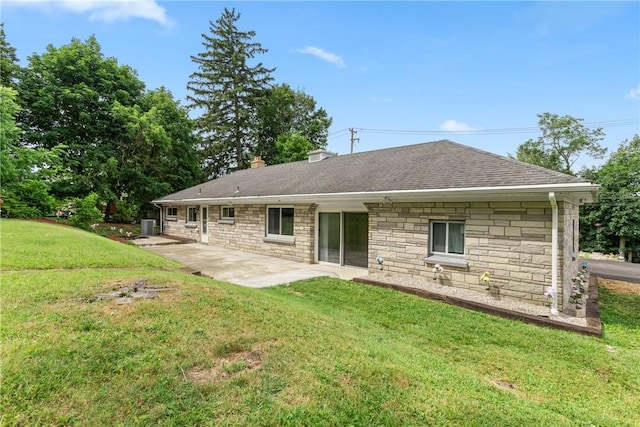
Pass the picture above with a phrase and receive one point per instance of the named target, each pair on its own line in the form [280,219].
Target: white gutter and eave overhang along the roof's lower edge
[582,192]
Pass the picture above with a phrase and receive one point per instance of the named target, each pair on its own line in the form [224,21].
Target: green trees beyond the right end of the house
[612,224]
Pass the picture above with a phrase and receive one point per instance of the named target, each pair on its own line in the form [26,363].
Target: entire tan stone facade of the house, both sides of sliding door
[510,240]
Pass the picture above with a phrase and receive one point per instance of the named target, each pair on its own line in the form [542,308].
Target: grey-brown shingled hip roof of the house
[438,165]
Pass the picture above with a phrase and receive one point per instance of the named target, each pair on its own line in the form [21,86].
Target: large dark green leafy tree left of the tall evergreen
[67,96]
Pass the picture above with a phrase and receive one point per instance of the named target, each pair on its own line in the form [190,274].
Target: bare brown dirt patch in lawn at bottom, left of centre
[226,367]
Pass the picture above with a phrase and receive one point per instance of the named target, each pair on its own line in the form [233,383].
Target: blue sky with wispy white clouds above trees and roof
[398,72]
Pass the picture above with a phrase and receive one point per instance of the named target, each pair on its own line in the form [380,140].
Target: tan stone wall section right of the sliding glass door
[510,240]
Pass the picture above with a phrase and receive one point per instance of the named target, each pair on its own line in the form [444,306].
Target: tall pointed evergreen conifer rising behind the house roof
[228,91]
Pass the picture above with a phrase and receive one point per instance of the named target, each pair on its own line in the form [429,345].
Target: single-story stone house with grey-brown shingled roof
[414,207]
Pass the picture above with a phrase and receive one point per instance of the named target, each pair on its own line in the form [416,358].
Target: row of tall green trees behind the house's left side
[77,124]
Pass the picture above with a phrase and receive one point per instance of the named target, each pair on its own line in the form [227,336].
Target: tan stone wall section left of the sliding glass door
[247,231]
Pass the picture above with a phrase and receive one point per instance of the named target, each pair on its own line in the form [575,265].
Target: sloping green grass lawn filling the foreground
[320,352]
